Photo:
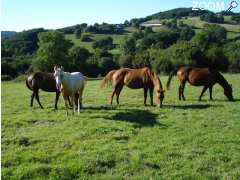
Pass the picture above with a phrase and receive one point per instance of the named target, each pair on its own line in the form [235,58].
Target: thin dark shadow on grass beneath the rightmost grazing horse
[191,106]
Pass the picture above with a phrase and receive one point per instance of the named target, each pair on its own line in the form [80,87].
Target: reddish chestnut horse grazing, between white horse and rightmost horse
[135,79]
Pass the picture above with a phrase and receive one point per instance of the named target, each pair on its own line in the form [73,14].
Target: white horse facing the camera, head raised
[70,84]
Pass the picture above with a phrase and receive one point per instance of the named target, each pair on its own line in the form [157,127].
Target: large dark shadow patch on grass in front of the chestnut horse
[140,117]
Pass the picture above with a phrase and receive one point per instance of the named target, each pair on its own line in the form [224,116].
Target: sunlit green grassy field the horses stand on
[183,140]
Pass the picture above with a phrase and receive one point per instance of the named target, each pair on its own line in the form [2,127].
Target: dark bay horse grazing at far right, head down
[206,77]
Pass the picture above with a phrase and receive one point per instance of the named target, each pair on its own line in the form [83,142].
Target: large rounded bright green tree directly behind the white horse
[53,49]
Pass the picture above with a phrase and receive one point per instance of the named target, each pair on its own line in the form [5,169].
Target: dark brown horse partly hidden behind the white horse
[44,81]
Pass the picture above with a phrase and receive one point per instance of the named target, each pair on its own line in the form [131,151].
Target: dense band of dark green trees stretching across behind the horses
[180,45]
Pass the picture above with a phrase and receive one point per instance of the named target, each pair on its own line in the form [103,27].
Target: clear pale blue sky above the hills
[18,15]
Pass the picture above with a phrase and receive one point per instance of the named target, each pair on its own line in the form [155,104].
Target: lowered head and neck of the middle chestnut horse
[159,90]
